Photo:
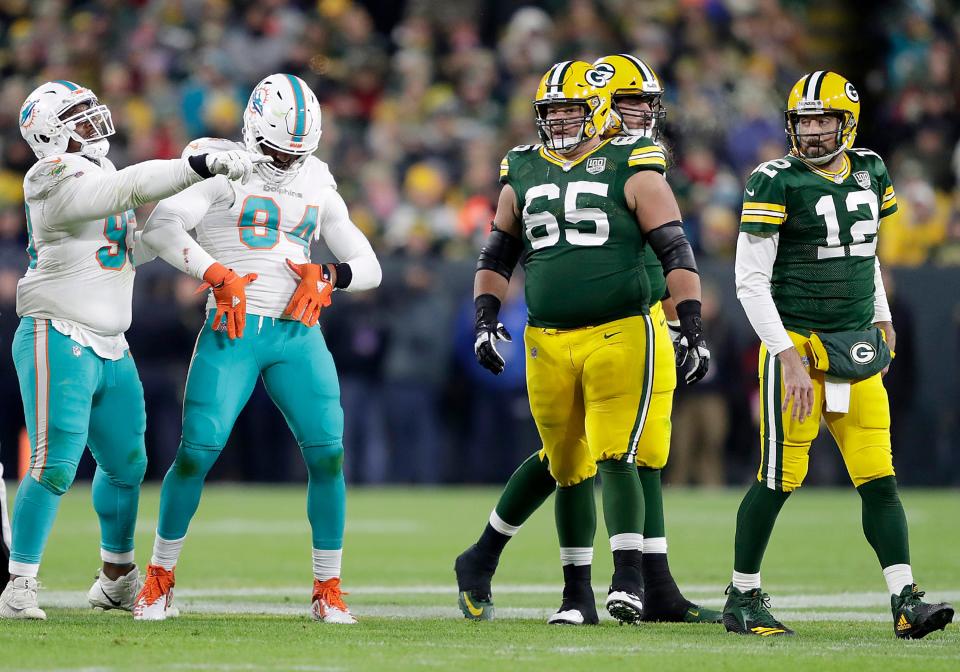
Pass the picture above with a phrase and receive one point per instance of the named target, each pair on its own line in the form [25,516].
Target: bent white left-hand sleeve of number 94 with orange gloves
[166,230]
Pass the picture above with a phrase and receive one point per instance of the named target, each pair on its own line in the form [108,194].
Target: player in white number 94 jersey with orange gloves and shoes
[262,230]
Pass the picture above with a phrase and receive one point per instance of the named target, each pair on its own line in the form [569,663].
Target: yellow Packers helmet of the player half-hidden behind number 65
[629,76]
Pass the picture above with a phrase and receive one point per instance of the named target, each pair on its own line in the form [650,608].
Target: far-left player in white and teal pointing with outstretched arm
[78,381]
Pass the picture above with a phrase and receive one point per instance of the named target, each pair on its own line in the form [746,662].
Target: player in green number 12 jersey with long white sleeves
[809,280]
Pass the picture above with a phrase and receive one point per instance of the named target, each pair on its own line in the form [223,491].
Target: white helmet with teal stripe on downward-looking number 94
[283,114]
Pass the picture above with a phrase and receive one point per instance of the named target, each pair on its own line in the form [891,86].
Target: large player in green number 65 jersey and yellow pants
[581,209]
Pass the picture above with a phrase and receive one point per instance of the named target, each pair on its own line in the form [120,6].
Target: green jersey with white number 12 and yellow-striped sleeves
[823,276]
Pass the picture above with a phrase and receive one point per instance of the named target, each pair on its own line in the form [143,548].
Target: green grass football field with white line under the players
[243,587]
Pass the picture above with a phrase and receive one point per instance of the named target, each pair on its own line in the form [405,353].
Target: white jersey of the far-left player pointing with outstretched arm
[81,226]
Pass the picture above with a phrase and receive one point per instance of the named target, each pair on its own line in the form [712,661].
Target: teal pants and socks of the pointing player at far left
[73,398]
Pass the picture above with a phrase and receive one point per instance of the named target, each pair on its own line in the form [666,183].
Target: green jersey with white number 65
[583,248]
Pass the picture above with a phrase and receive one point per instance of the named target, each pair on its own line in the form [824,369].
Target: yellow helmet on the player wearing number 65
[572,83]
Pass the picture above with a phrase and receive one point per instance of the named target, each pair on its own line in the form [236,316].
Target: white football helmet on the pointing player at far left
[48,132]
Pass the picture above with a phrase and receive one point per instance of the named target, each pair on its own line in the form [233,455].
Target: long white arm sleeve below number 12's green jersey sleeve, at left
[754,268]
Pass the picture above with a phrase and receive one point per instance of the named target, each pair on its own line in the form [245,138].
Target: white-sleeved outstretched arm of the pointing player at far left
[85,194]
